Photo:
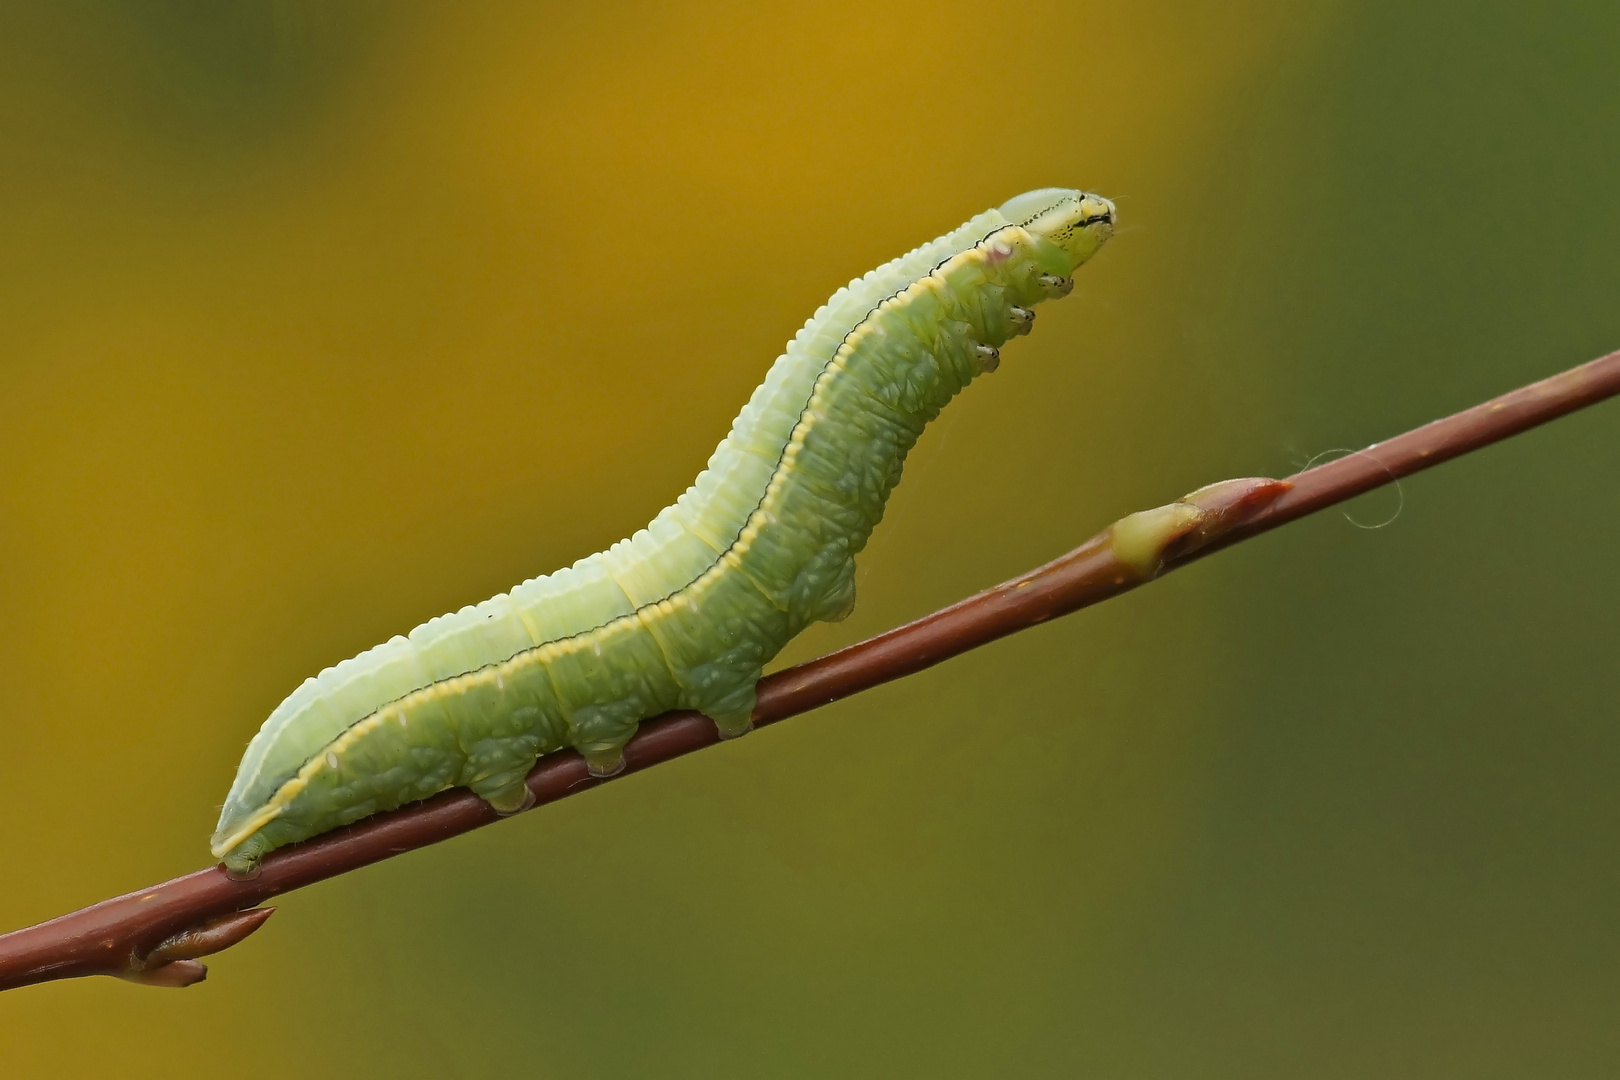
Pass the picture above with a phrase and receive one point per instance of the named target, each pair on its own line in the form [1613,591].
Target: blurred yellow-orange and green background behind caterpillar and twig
[318,320]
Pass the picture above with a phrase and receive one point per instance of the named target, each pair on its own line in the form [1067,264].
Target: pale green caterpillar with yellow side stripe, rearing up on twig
[686,613]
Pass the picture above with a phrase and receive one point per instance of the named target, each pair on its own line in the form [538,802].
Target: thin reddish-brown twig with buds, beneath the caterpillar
[156,935]
